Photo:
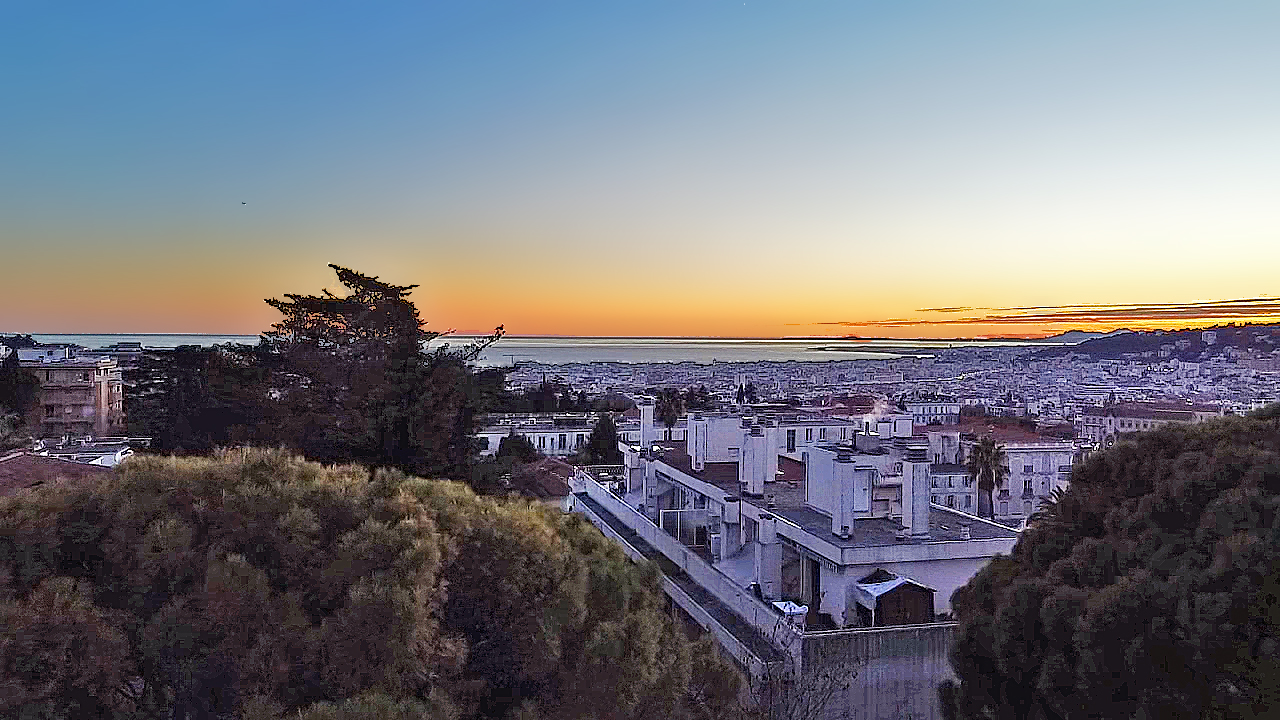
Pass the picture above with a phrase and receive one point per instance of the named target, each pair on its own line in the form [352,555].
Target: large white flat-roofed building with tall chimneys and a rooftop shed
[785,550]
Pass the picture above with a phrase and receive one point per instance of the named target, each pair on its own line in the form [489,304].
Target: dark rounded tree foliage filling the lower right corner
[1151,589]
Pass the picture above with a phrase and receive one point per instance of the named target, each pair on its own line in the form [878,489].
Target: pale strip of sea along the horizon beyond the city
[560,350]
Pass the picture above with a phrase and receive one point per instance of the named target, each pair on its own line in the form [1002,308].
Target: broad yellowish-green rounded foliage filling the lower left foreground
[257,585]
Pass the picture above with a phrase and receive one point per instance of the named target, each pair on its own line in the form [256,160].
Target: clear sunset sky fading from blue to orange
[644,168]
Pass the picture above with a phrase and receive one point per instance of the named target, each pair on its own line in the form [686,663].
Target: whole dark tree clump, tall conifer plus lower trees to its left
[340,379]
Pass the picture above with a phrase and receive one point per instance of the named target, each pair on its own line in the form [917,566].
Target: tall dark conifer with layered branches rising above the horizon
[356,382]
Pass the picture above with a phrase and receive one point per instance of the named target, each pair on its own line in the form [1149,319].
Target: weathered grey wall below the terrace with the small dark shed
[899,671]
